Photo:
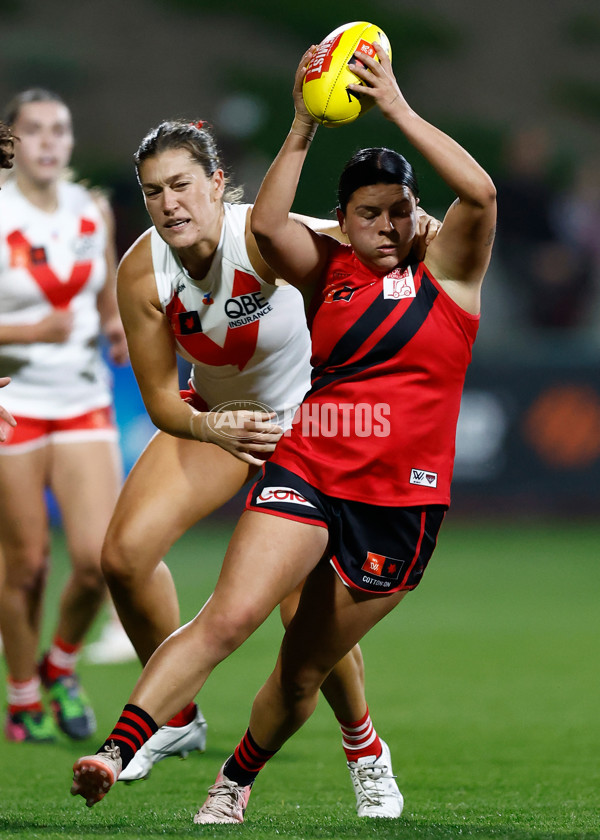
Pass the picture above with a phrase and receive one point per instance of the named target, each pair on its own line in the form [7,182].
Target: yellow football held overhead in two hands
[325,85]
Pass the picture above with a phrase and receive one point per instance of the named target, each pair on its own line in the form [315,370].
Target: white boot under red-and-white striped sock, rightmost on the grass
[374,783]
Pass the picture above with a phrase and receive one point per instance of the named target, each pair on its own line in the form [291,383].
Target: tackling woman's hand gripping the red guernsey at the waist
[249,435]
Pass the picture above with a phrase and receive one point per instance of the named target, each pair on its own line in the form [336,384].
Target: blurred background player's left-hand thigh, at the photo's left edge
[23,512]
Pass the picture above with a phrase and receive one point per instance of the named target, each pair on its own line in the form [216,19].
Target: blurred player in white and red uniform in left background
[57,299]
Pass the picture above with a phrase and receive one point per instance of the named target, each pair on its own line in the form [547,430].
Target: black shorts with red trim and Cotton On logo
[371,547]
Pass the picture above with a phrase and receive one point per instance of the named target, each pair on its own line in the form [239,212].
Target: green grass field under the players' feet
[484,682]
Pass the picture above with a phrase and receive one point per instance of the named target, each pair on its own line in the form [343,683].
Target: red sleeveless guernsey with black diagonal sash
[389,358]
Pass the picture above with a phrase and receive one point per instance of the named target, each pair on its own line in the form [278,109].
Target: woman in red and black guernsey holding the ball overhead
[354,496]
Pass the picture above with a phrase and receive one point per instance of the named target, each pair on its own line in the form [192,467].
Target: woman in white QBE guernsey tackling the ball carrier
[195,284]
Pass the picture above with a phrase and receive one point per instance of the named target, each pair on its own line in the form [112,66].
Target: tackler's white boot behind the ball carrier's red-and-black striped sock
[169,740]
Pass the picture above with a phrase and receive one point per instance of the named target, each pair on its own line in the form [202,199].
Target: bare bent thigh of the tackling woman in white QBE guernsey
[174,484]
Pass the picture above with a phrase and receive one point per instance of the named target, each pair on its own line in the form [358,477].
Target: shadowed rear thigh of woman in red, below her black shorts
[330,620]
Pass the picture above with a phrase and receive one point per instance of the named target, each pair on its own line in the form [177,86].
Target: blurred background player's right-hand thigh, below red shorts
[85,478]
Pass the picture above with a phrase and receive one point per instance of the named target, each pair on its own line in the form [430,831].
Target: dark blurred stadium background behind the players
[517,83]
